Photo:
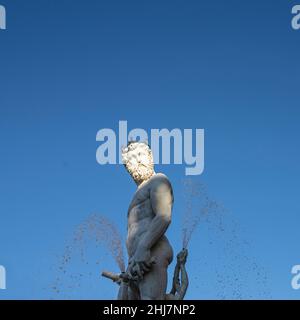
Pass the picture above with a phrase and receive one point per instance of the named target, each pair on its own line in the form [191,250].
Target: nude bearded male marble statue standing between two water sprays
[149,216]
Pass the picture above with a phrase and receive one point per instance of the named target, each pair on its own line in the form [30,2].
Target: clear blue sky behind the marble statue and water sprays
[69,68]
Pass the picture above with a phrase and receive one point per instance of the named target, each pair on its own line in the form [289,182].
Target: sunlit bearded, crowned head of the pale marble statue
[138,161]
